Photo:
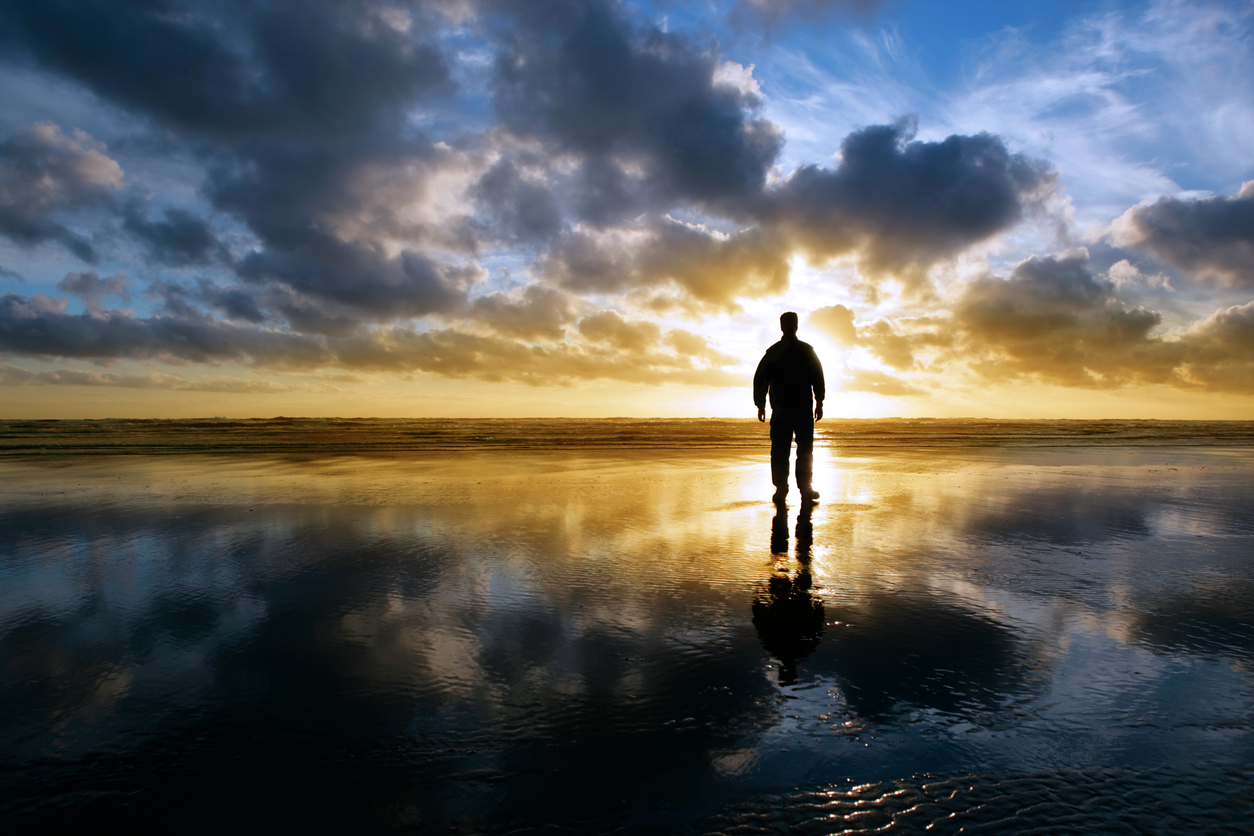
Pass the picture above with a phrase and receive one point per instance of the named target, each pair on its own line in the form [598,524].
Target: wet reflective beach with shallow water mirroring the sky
[1000,641]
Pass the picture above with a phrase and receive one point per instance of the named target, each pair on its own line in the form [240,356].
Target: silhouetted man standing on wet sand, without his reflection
[791,372]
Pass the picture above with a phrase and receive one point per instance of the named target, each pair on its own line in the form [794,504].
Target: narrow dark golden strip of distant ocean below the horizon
[398,437]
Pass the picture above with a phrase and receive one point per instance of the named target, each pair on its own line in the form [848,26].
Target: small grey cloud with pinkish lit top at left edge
[46,174]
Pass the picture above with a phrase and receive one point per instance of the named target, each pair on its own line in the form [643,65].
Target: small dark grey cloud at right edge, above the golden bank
[1211,239]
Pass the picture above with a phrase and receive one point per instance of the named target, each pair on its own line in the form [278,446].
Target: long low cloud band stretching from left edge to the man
[41,328]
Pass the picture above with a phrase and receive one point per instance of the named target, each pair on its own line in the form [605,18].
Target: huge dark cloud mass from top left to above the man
[626,162]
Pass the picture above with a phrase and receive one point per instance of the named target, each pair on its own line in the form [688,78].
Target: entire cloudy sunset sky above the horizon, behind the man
[511,209]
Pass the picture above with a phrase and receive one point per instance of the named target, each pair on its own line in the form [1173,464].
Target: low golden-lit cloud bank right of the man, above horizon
[1055,321]
